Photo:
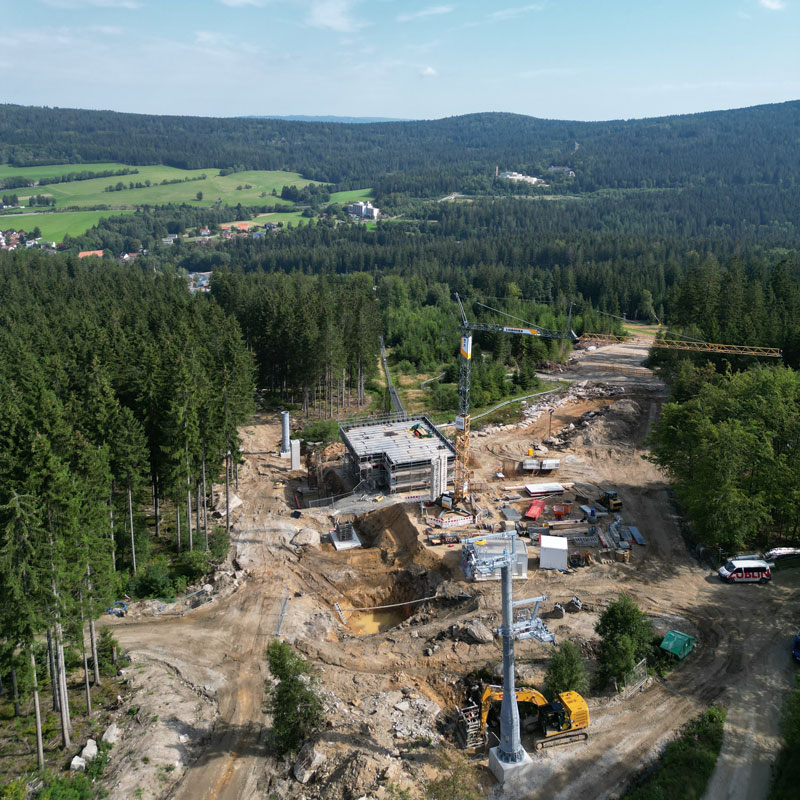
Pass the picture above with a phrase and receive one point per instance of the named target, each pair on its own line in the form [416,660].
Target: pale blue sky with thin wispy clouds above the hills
[565,59]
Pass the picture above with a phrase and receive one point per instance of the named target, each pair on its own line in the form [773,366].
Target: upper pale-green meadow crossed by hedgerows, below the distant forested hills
[91,193]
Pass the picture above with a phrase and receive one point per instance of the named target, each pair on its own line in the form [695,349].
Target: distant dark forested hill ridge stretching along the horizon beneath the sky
[757,145]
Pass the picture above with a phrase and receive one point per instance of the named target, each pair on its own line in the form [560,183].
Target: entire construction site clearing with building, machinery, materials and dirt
[420,585]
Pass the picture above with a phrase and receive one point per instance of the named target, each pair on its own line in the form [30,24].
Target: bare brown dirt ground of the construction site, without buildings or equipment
[389,695]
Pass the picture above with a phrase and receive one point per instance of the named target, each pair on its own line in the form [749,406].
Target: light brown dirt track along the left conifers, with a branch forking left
[221,647]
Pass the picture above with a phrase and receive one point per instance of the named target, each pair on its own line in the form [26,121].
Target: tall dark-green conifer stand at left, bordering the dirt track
[117,388]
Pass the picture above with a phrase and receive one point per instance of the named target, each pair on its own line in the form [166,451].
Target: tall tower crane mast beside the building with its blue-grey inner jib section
[461,467]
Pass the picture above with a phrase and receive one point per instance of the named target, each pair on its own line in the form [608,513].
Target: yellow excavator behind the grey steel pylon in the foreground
[562,721]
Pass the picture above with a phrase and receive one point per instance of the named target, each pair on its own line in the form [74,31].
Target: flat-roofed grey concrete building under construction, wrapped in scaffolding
[399,454]
